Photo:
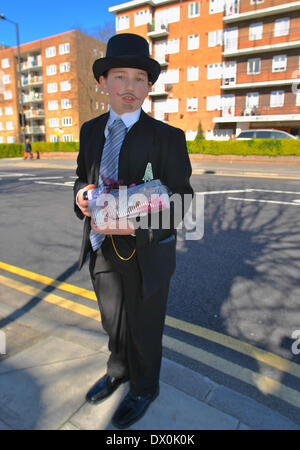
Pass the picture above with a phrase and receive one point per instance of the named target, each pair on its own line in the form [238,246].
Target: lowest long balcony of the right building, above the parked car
[259,115]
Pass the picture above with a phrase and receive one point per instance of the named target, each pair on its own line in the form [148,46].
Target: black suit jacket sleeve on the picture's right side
[175,172]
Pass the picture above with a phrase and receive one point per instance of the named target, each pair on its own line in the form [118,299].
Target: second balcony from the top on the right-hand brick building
[267,43]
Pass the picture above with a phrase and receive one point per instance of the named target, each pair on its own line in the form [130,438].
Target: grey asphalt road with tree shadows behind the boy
[234,299]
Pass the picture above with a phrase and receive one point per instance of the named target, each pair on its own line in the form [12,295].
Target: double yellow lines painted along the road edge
[263,383]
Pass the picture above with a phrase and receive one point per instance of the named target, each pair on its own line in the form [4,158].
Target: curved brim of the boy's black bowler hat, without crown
[151,66]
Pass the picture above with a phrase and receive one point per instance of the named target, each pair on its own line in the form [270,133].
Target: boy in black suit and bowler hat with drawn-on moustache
[130,267]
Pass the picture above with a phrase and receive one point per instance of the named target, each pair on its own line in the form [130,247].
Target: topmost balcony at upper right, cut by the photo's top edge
[233,12]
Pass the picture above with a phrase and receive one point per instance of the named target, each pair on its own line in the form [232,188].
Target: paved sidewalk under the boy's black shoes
[49,368]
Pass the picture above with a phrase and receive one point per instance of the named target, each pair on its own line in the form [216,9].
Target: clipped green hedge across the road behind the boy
[265,147]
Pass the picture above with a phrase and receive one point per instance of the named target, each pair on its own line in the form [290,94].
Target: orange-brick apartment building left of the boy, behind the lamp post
[58,89]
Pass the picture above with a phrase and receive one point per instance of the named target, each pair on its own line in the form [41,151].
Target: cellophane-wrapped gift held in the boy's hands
[129,202]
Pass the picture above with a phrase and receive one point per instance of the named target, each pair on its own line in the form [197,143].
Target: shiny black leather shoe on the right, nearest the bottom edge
[131,409]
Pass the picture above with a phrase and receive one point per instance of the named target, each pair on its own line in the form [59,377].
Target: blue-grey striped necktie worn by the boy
[109,165]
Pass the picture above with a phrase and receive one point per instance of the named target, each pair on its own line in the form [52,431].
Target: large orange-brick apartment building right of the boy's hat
[227,64]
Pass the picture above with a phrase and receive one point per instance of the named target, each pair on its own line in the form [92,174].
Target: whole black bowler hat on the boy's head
[127,50]
